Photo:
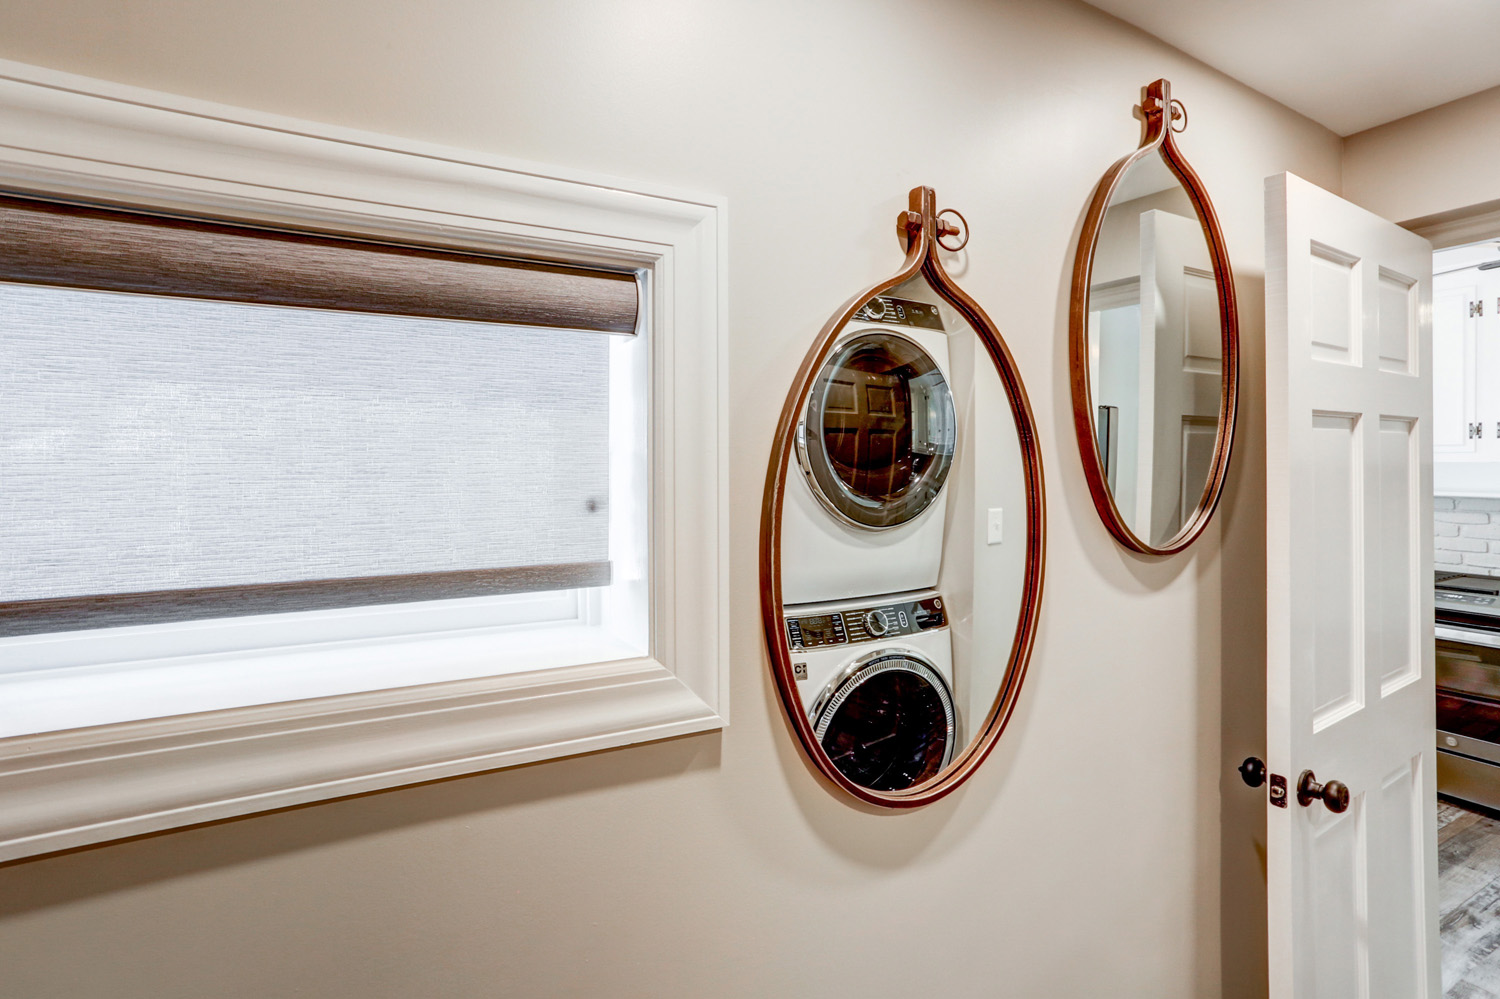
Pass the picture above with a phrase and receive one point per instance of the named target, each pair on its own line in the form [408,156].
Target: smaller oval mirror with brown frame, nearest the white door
[1154,343]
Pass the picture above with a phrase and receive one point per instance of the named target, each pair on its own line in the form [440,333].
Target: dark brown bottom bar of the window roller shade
[73,614]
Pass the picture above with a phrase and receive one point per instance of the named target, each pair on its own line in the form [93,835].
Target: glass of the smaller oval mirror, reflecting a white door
[1154,352]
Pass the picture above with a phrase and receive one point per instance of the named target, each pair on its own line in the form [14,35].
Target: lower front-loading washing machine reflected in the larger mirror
[877,682]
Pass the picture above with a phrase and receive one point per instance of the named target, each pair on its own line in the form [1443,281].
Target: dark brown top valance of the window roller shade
[77,247]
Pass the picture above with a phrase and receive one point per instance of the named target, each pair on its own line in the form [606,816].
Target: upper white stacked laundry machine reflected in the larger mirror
[875,446]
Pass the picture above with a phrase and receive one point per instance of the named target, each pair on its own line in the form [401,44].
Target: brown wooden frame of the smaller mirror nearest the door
[1159,112]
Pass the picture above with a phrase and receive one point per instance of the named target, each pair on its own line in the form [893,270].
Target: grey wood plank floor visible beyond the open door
[1469,901]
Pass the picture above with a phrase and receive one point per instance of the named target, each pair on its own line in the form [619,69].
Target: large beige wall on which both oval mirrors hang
[1084,860]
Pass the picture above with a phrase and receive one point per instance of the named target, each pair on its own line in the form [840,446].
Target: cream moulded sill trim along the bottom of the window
[67,790]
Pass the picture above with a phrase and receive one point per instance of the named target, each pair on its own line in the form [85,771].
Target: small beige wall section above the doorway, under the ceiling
[1433,163]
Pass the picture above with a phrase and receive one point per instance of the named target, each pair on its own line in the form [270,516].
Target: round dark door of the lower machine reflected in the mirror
[887,724]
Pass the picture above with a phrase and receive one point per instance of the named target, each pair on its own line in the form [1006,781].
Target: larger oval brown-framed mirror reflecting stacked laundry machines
[902,535]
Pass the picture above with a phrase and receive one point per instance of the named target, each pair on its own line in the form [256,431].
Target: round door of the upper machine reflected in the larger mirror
[880,431]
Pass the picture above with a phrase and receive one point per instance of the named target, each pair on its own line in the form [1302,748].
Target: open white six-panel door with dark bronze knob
[1349,559]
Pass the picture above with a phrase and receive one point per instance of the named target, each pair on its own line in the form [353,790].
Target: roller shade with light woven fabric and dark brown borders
[172,457]
